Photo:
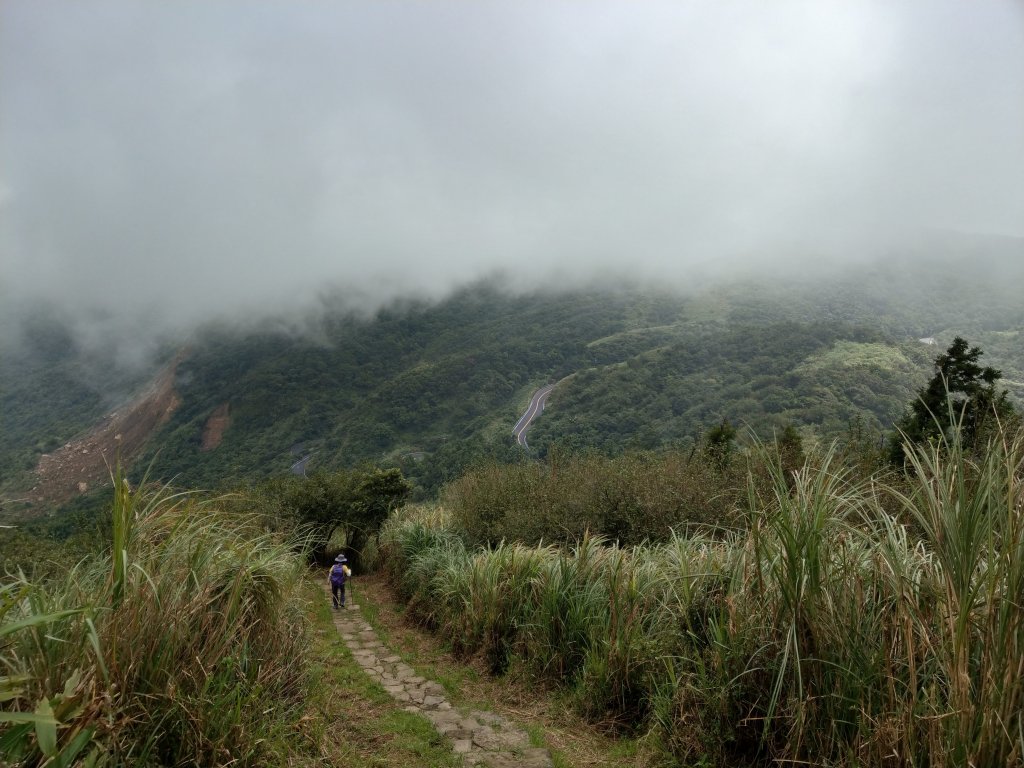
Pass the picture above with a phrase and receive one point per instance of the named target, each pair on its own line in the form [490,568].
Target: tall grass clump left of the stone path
[183,646]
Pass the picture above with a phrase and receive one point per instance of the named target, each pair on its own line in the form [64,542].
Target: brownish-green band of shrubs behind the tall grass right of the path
[634,498]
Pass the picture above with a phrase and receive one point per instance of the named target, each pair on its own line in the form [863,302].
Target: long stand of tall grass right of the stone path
[848,621]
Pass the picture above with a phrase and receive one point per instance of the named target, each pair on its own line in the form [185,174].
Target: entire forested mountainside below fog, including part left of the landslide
[434,388]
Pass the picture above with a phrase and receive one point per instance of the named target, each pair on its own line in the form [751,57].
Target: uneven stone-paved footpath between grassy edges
[484,739]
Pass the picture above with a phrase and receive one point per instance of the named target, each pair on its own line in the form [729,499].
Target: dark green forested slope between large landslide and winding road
[407,388]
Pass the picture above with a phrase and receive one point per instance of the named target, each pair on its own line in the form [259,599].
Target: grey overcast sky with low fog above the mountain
[163,164]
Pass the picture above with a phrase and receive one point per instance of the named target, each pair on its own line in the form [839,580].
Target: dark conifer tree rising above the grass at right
[962,396]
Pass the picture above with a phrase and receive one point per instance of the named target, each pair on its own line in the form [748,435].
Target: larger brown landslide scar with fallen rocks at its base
[87,461]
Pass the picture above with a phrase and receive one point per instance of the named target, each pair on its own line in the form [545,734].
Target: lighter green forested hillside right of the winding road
[824,355]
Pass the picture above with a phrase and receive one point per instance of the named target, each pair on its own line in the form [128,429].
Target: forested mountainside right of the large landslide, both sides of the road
[436,390]
